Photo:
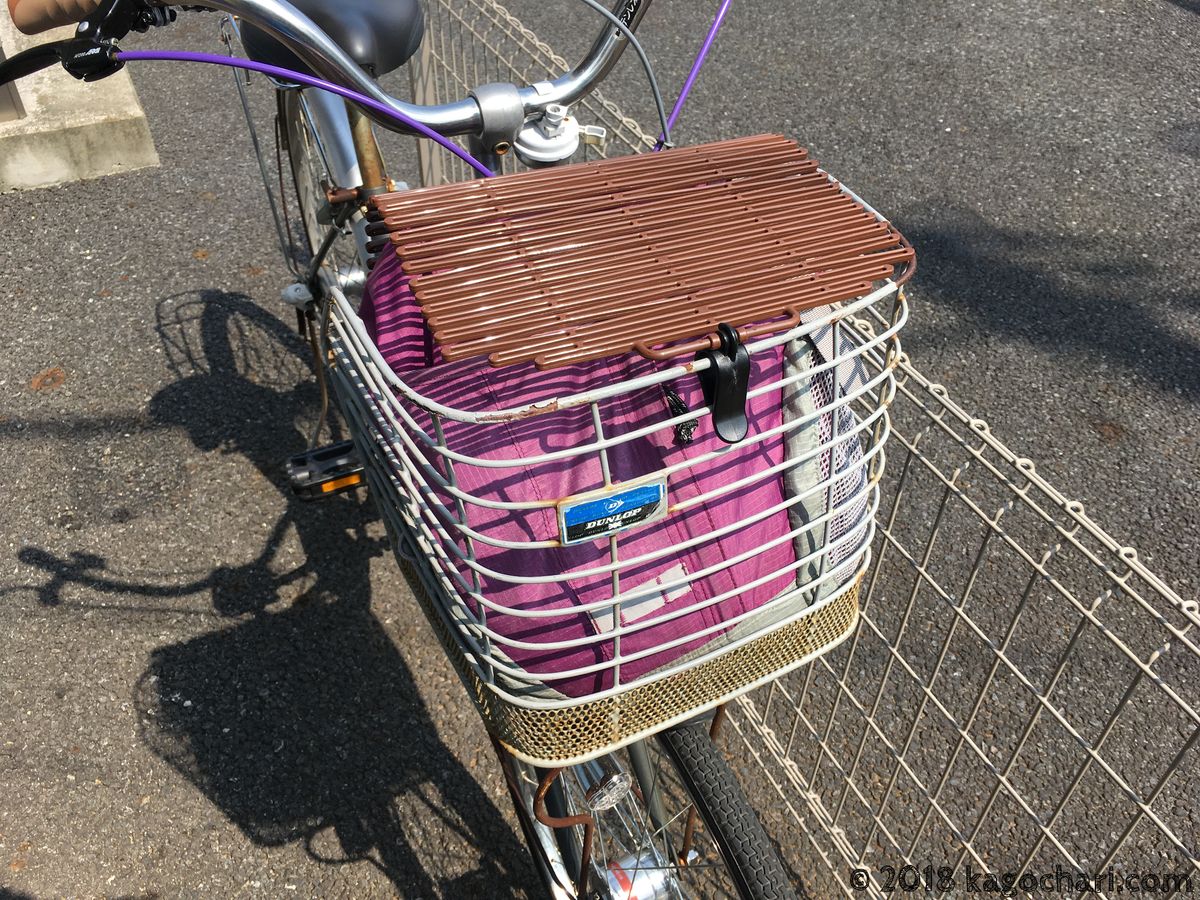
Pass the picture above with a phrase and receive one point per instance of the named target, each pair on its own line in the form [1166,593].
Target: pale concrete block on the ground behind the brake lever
[55,129]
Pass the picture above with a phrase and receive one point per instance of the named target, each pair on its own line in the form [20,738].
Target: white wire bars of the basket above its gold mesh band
[382,409]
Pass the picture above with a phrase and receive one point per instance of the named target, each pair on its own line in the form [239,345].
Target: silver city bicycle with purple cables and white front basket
[651,809]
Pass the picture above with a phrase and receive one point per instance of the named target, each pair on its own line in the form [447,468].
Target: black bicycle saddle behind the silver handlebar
[380,35]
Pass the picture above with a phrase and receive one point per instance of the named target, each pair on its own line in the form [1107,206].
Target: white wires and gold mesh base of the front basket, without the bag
[416,473]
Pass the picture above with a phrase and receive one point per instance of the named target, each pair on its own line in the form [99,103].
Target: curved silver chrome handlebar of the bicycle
[463,117]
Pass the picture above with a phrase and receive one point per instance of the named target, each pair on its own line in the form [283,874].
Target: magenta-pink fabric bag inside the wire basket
[395,323]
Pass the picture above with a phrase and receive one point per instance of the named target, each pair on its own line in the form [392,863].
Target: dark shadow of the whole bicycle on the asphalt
[301,722]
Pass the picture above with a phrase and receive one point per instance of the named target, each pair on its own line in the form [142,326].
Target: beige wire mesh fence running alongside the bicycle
[1017,711]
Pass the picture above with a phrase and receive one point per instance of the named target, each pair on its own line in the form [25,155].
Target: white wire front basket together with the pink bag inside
[575,647]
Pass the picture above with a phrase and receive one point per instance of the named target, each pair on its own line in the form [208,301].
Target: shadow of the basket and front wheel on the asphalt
[305,725]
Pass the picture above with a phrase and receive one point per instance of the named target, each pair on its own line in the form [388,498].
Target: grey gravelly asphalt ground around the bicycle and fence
[209,689]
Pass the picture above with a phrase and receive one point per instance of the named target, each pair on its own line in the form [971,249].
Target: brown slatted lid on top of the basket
[640,254]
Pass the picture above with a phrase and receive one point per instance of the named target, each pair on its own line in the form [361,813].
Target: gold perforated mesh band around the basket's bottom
[567,735]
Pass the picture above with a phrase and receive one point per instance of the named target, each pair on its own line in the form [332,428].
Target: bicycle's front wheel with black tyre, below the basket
[683,830]
